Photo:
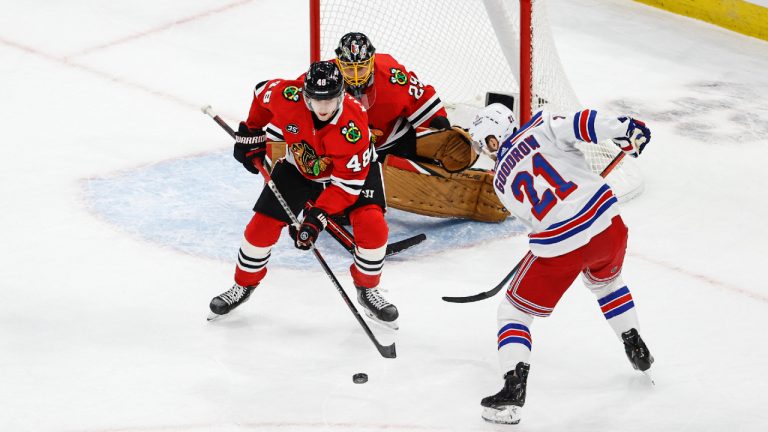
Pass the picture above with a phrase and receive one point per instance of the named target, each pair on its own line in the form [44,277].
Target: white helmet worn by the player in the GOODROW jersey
[495,120]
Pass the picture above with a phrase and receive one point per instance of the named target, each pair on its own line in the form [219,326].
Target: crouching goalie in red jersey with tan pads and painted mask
[426,163]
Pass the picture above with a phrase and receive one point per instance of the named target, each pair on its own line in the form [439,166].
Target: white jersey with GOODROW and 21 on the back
[543,179]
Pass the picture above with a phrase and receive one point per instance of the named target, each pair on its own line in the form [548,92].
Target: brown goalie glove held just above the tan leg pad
[452,148]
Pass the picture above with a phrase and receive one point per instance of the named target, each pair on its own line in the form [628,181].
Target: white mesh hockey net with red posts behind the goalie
[465,49]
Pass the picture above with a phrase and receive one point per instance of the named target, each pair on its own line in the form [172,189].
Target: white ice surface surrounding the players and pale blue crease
[102,329]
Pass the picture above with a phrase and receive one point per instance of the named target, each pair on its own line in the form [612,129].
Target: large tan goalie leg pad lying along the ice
[429,190]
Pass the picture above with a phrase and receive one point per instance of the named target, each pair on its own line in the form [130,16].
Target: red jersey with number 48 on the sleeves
[339,153]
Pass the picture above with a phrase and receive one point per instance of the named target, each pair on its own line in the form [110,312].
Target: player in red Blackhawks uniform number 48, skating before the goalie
[331,162]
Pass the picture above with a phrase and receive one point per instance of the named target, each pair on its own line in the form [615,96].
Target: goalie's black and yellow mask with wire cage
[355,55]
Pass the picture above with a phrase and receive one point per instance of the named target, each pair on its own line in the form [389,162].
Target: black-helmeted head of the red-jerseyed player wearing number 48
[323,89]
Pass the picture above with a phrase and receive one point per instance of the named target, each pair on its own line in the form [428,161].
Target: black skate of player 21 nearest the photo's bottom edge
[504,407]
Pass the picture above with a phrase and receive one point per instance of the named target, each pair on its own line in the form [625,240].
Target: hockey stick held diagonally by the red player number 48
[387,351]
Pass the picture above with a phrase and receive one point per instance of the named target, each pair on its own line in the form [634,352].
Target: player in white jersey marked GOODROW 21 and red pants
[543,180]
